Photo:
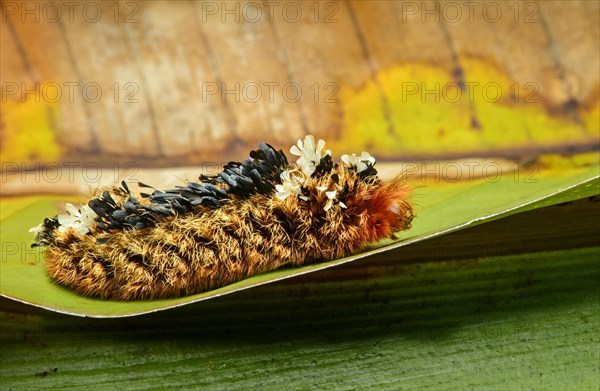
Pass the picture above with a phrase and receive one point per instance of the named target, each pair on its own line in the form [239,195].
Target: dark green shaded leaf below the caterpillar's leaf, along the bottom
[458,312]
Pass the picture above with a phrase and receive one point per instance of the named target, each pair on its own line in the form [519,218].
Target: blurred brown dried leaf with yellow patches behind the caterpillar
[124,86]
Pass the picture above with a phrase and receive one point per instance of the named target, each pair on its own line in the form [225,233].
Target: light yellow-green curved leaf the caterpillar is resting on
[440,209]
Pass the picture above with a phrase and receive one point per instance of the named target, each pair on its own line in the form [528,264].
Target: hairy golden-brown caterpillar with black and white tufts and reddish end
[254,216]
